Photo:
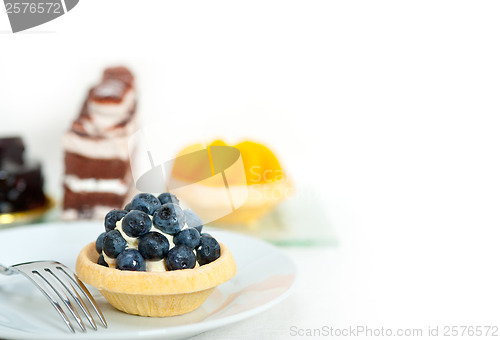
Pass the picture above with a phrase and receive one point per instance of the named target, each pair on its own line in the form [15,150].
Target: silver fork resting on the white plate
[55,280]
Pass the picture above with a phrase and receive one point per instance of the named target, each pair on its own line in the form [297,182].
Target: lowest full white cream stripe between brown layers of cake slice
[115,186]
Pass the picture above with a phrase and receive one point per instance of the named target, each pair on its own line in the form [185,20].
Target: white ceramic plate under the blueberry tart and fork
[265,277]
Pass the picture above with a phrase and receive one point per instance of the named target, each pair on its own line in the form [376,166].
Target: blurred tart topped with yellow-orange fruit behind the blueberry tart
[254,188]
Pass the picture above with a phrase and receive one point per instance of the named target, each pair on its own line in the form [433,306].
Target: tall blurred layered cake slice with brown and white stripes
[96,157]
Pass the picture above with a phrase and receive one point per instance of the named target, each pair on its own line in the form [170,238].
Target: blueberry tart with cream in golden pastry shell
[153,259]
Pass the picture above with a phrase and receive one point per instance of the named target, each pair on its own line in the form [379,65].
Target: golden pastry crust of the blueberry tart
[155,293]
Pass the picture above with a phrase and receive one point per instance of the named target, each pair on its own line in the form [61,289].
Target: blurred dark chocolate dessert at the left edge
[21,181]
